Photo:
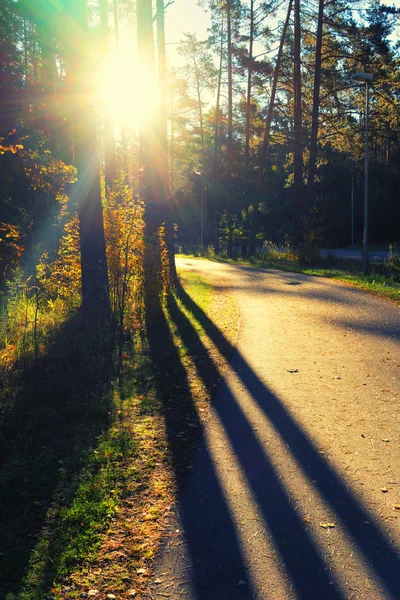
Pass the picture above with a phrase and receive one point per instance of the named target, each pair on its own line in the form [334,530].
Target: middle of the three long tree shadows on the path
[306,568]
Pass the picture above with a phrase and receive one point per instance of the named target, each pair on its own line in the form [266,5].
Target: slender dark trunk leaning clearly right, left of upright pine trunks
[267,129]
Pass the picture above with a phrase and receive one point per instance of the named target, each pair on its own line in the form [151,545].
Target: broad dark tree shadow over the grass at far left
[56,411]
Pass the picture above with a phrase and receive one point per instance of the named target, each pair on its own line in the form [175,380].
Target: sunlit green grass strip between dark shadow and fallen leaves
[79,513]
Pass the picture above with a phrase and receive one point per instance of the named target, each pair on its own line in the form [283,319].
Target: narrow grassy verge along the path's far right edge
[381,281]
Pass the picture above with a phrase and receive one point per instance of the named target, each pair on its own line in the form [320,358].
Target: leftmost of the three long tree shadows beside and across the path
[209,562]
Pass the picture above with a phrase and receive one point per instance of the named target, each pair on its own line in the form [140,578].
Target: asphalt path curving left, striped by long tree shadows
[294,489]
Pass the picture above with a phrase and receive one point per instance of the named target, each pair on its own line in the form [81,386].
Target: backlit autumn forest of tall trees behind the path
[255,135]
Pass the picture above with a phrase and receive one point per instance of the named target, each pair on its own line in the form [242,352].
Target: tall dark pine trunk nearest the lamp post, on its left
[315,110]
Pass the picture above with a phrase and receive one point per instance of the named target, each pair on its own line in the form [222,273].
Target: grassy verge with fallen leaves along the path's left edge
[91,465]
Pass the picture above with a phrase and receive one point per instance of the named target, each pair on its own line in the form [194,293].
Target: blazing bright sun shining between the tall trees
[128,89]
